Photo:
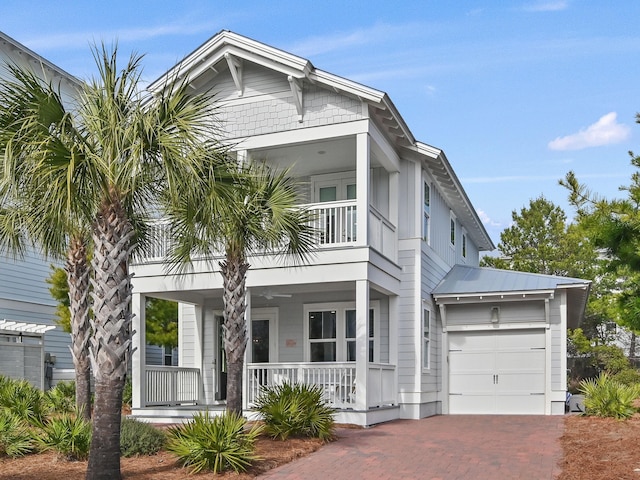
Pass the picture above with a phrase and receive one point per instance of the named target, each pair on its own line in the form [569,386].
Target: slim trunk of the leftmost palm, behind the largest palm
[78,281]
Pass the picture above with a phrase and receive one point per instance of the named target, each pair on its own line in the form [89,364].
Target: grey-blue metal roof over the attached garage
[464,280]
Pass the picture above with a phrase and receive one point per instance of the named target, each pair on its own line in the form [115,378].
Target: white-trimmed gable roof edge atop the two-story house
[232,49]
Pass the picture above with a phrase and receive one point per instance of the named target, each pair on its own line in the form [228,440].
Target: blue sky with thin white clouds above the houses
[516,93]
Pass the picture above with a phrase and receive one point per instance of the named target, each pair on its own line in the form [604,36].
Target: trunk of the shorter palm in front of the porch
[234,273]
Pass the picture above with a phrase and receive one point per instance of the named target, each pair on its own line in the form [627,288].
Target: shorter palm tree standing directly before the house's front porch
[255,214]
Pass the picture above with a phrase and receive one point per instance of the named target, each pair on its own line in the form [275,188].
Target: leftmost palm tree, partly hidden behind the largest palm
[30,104]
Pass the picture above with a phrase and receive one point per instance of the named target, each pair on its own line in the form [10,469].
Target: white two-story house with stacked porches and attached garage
[391,316]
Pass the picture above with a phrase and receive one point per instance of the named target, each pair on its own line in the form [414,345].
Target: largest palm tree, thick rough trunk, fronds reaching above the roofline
[106,164]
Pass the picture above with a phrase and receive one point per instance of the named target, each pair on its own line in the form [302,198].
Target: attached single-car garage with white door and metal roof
[505,339]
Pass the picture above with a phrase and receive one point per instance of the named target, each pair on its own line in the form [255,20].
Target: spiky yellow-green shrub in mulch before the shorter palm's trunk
[214,443]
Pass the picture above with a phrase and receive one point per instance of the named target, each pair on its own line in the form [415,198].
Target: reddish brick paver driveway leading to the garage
[447,447]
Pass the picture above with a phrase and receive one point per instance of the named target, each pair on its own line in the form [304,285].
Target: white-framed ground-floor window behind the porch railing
[332,334]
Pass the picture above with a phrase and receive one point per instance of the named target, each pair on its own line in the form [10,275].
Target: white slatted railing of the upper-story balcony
[335,223]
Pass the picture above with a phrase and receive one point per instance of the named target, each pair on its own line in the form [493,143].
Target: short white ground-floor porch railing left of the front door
[172,385]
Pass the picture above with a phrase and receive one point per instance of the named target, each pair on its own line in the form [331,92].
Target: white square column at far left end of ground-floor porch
[138,361]
